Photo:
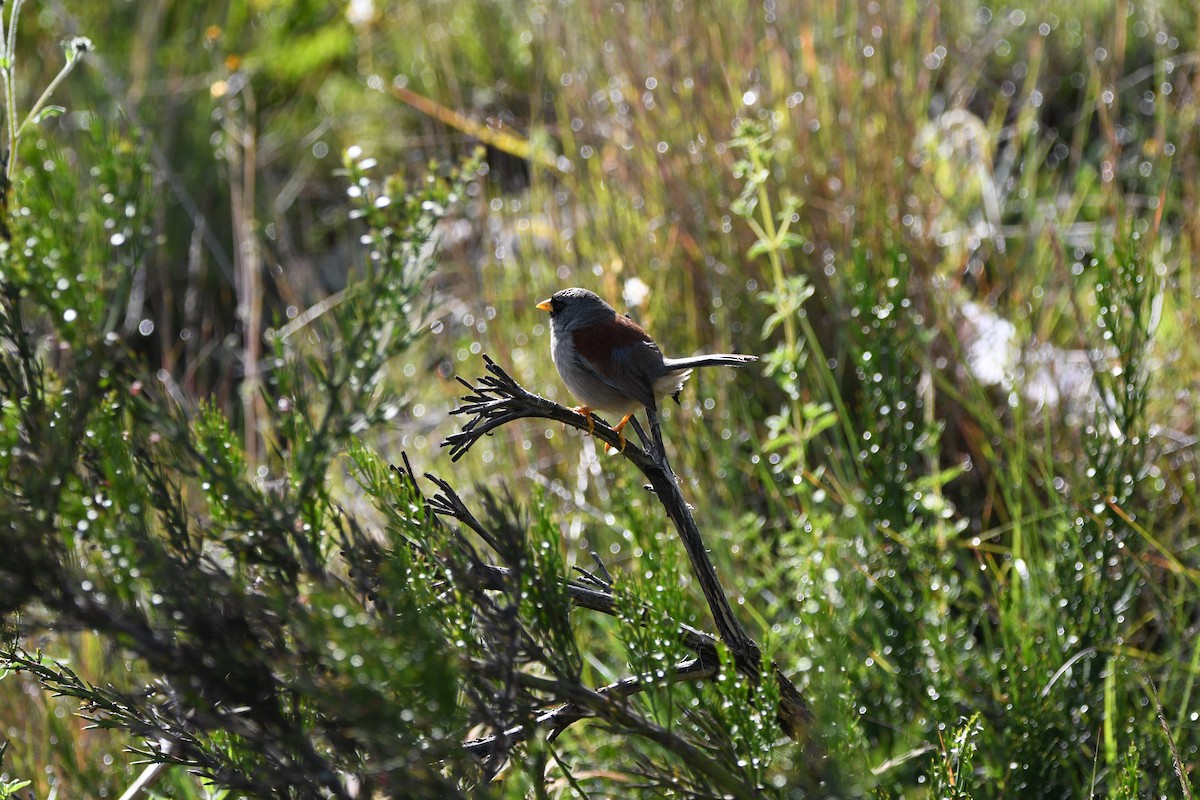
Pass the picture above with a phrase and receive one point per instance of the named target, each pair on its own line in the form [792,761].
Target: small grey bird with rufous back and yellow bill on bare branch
[610,364]
